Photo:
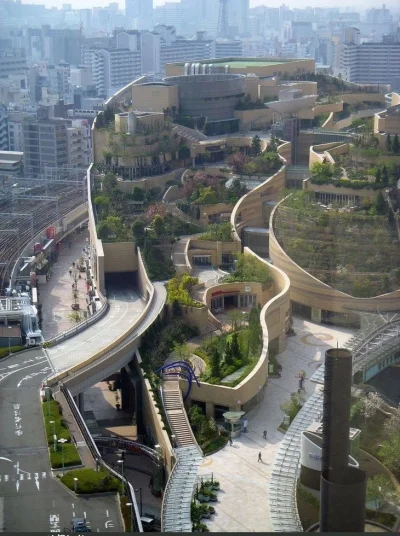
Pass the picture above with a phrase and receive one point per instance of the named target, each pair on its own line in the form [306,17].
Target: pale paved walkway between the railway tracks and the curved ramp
[56,294]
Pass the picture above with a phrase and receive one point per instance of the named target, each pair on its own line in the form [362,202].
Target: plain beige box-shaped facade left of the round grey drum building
[154,97]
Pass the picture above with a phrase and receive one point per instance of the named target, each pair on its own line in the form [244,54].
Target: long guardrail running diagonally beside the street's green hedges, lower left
[136,521]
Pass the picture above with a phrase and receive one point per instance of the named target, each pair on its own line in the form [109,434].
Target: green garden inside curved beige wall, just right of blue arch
[230,358]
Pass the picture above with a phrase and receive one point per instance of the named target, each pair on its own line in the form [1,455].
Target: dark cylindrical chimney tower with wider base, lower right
[343,487]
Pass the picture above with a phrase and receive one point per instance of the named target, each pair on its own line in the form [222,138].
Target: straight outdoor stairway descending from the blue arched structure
[176,413]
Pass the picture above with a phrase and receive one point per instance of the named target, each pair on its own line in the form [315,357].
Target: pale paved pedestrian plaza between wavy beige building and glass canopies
[243,504]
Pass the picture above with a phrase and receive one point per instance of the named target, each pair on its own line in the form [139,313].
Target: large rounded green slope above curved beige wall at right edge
[355,251]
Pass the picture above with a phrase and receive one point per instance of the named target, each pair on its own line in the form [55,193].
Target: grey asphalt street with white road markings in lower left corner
[31,499]
